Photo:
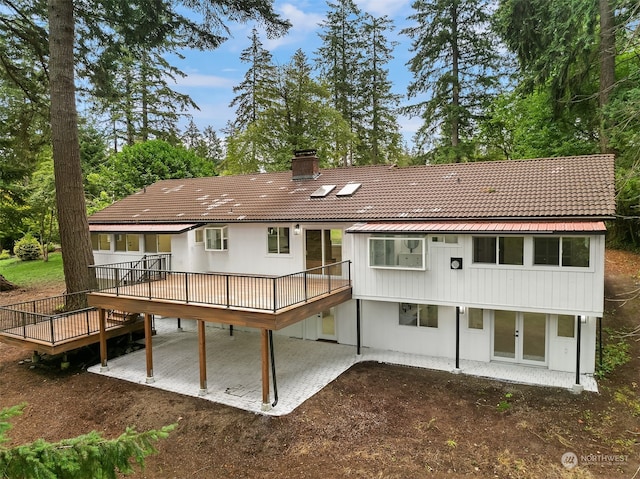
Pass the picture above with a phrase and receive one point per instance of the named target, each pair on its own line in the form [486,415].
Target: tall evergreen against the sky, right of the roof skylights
[455,72]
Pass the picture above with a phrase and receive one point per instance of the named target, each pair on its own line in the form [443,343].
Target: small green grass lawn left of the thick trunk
[29,273]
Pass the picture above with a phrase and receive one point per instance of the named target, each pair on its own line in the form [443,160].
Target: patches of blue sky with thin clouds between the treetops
[212,75]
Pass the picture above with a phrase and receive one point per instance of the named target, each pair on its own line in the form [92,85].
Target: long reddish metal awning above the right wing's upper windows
[507,227]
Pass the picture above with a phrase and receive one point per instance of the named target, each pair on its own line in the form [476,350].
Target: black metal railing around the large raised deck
[254,292]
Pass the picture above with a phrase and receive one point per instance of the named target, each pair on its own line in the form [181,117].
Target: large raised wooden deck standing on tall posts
[260,302]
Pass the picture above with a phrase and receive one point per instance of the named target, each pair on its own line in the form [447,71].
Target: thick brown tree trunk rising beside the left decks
[77,254]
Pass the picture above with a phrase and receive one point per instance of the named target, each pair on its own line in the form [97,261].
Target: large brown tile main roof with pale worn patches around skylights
[575,187]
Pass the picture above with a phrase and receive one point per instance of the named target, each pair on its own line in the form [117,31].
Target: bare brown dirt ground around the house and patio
[375,421]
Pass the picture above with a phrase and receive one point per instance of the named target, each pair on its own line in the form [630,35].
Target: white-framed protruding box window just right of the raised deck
[399,252]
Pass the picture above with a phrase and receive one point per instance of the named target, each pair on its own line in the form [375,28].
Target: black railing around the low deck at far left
[37,319]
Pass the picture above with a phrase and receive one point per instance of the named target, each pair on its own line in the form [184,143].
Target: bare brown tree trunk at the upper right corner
[607,65]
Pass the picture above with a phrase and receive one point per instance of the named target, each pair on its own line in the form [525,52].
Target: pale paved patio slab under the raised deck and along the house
[303,367]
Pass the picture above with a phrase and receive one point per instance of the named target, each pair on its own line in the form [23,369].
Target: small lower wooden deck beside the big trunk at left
[61,334]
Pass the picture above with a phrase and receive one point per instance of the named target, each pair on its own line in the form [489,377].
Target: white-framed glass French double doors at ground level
[520,337]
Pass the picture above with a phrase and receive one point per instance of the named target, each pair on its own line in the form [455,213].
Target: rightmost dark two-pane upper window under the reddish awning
[572,251]
